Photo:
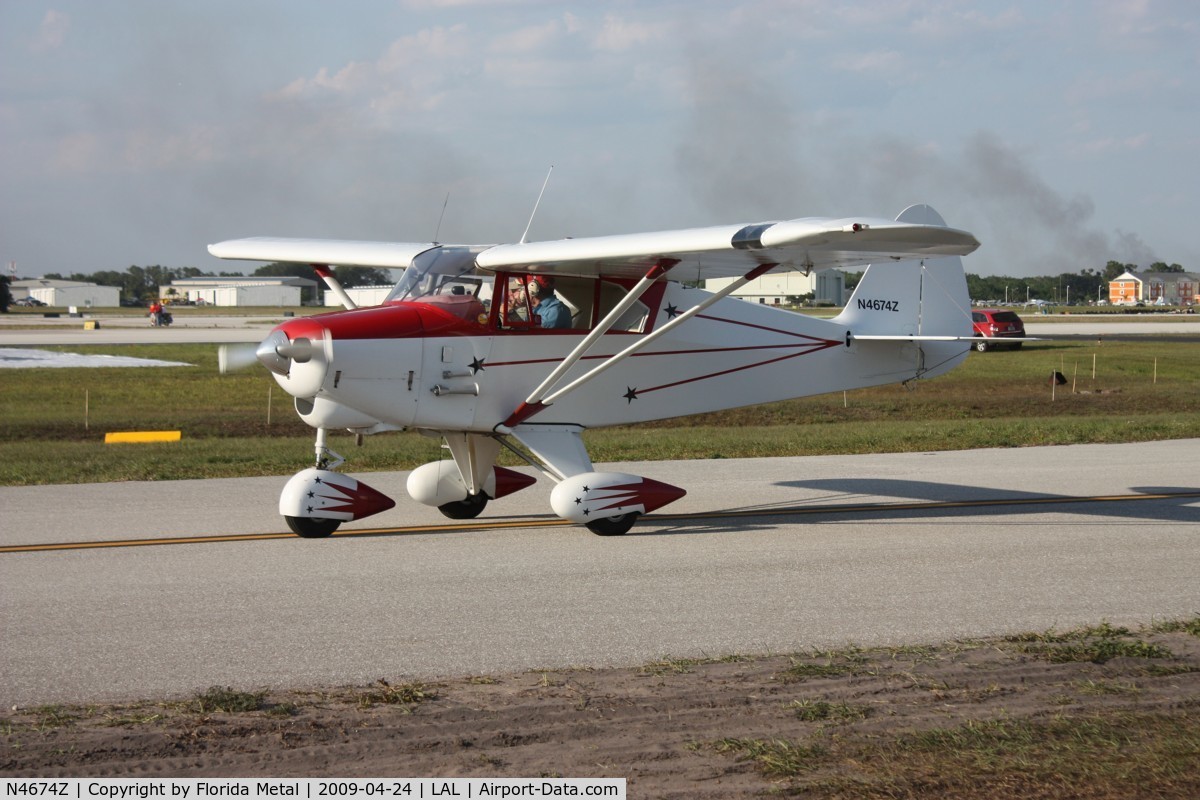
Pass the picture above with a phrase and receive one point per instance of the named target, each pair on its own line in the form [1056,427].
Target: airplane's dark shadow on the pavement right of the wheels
[842,501]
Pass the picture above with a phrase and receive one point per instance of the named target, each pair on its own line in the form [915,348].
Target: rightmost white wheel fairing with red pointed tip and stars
[598,496]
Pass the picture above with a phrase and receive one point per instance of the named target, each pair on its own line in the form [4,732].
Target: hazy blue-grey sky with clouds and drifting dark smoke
[1063,135]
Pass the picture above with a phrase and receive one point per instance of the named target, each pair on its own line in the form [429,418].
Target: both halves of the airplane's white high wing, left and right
[721,251]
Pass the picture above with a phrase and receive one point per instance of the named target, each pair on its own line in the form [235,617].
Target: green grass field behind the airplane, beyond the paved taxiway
[53,422]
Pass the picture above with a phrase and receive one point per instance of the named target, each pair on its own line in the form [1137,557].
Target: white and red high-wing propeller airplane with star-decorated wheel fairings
[523,347]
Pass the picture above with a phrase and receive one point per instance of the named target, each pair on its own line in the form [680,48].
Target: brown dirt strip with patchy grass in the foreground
[1096,713]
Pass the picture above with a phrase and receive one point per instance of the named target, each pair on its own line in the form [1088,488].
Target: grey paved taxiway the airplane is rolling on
[821,552]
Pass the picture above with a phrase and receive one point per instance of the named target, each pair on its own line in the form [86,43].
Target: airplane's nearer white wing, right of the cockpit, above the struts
[730,251]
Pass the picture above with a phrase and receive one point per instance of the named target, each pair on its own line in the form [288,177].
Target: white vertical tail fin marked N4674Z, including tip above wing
[911,298]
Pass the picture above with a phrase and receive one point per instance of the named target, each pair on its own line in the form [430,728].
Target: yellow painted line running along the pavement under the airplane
[502,525]
